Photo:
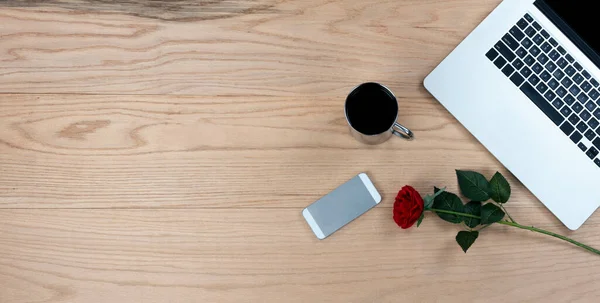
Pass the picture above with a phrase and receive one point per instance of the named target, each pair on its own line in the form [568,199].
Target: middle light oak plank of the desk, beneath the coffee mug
[82,151]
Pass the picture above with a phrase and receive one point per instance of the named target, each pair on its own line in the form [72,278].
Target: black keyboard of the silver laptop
[553,80]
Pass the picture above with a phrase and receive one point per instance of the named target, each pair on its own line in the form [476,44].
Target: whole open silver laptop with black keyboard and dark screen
[525,83]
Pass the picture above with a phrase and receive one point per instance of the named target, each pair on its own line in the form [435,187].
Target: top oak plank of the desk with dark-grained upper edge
[295,48]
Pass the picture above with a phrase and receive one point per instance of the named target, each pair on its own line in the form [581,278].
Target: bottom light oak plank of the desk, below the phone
[253,255]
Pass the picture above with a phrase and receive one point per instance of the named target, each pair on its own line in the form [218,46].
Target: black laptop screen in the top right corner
[575,18]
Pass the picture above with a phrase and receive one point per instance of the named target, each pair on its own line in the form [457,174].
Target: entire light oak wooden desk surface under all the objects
[163,152]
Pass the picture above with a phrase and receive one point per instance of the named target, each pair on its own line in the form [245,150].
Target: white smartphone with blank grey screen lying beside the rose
[341,206]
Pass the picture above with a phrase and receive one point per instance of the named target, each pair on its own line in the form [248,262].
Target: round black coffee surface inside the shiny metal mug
[371,109]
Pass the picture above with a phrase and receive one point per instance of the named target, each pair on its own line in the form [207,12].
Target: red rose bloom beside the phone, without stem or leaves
[408,207]
